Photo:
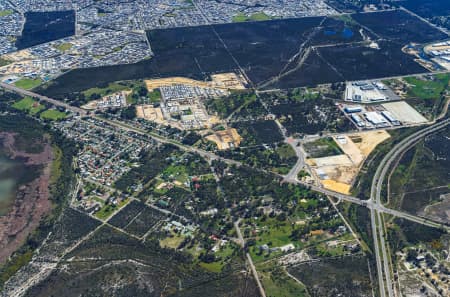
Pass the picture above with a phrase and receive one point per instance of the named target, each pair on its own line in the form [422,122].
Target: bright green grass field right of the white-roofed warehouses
[428,89]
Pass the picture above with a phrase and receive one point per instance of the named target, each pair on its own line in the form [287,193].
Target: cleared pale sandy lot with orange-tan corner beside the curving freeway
[338,172]
